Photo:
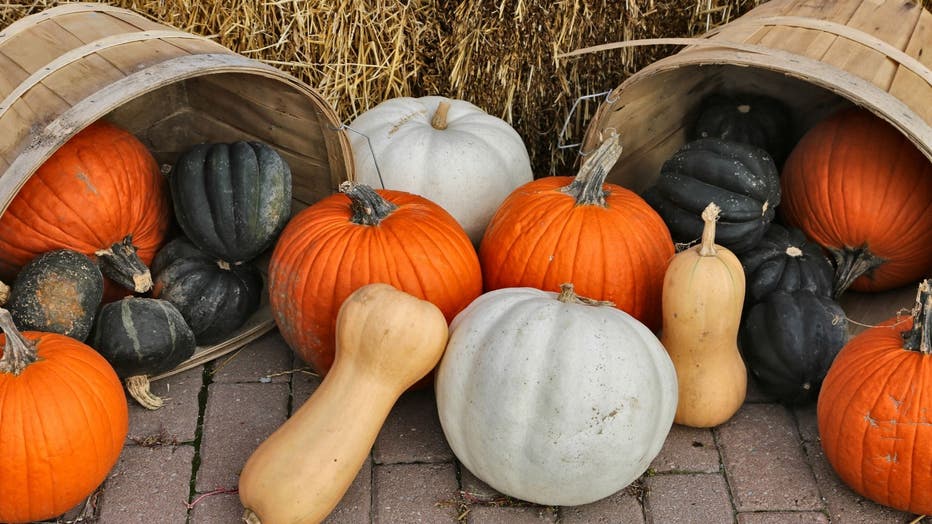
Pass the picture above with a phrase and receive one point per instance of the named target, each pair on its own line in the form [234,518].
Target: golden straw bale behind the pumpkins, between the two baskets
[498,55]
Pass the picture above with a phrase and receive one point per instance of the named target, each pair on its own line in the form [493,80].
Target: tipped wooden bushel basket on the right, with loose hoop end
[815,56]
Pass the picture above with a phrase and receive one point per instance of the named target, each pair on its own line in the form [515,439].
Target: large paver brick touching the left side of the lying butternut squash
[238,417]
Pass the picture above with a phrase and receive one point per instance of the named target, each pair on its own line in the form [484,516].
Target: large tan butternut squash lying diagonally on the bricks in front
[386,340]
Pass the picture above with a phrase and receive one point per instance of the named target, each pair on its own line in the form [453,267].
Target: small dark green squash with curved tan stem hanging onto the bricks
[141,337]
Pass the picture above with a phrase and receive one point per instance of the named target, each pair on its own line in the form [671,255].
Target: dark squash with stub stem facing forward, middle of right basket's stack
[786,260]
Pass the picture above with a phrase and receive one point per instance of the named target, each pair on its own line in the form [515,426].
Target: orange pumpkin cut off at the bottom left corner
[64,421]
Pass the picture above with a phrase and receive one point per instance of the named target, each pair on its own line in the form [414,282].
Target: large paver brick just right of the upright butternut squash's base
[764,461]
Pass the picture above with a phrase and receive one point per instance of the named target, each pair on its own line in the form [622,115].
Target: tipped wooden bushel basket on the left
[66,67]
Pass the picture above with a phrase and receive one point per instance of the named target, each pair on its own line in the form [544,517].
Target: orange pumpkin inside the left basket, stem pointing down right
[100,194]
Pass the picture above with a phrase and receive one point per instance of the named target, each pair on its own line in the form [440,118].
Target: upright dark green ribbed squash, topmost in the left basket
[231,200]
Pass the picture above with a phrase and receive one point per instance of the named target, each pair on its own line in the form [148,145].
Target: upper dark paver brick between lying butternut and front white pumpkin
[412,432]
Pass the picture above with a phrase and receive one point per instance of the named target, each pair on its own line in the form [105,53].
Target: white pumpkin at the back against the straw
[446,150]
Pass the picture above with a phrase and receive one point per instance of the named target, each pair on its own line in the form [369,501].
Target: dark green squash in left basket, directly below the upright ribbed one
[214,297]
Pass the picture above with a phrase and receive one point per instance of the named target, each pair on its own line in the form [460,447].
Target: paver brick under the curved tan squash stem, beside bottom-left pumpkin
[176,421]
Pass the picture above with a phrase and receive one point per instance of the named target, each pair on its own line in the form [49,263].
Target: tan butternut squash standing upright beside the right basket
[703,293]
